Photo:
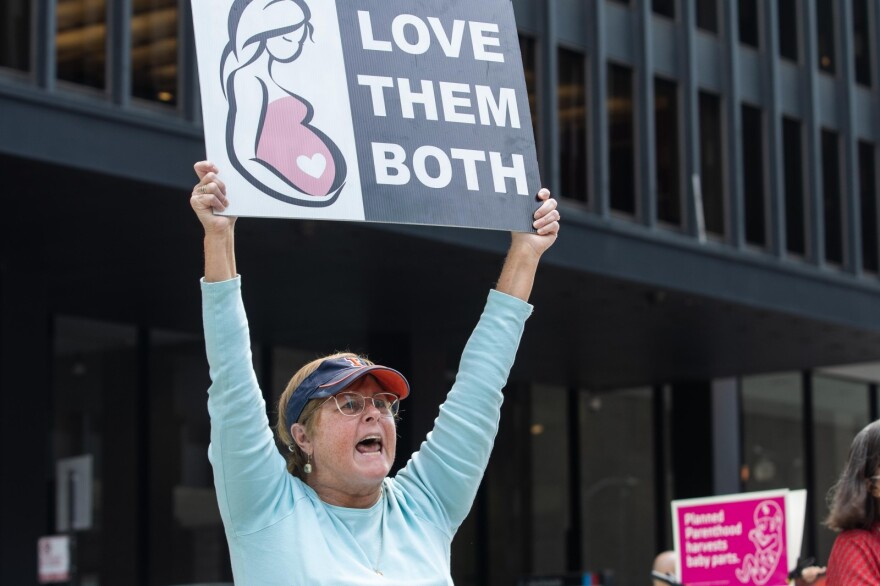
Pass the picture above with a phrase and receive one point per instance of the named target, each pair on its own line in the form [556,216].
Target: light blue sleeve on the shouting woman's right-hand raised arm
[445,473]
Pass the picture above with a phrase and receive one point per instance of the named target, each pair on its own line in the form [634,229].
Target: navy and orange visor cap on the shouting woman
[334,375]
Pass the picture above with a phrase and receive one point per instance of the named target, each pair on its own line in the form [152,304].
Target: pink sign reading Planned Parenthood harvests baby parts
[734,540]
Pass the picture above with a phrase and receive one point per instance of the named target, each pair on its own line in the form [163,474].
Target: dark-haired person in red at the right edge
[855,513]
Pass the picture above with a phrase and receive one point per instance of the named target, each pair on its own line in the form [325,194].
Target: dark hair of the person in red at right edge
[851,502]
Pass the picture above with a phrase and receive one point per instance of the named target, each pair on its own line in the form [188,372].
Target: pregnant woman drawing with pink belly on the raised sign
[275,146]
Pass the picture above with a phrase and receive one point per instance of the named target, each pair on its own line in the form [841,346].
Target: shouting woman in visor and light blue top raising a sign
[329,514]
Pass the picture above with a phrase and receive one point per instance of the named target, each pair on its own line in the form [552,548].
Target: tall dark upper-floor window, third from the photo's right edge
[793,160]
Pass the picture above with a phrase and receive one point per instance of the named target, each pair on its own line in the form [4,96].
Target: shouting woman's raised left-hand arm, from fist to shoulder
[249,473]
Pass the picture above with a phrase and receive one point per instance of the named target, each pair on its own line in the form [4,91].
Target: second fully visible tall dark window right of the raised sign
[621,139]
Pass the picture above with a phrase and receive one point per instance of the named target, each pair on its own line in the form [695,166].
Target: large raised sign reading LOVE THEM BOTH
[375,110]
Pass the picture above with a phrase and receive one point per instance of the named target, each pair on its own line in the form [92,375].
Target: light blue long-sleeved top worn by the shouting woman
[281,533]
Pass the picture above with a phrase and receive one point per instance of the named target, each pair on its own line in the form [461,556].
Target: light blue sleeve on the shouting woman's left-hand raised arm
[249,473]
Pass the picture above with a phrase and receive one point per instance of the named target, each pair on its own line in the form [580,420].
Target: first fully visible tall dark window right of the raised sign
[572,125]
